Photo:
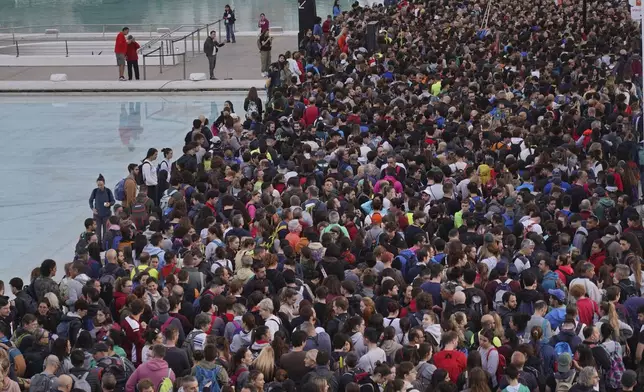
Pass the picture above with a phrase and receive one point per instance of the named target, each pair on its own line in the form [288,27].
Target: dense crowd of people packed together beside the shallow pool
[455,208]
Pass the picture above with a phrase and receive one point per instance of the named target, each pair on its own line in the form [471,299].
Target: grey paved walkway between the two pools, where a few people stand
[235,61]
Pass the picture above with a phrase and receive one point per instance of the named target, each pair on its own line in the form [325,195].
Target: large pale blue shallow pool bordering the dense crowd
[54,149]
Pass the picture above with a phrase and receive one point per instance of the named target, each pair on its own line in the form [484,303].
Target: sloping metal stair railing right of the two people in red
[166,47]
